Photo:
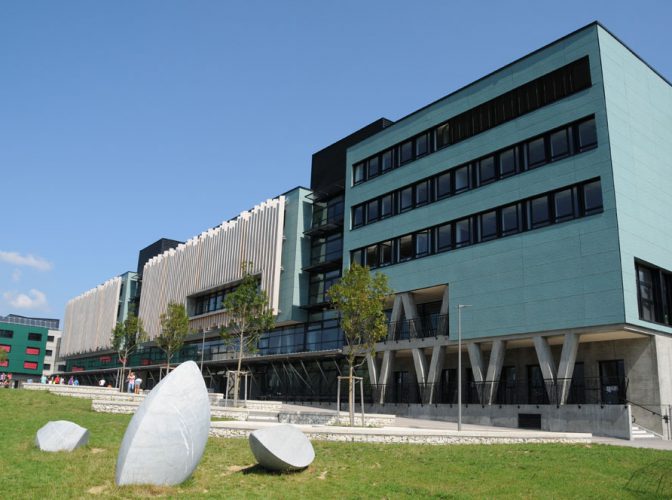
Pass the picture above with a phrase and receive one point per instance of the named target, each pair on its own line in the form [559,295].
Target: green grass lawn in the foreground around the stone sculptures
[340,470]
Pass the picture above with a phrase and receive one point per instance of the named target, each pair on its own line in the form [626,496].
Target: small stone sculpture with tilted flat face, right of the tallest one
[282,448]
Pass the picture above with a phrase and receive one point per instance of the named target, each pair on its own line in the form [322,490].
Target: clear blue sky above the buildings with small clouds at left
[124,122]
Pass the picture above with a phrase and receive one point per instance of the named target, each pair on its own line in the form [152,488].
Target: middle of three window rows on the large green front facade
[527,155]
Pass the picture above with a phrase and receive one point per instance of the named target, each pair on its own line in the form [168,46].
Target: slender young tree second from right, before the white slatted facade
[248,316]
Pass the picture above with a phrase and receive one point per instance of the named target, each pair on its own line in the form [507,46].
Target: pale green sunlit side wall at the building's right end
[639,112]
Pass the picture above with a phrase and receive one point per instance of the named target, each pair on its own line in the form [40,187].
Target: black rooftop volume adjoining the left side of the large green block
[328,167]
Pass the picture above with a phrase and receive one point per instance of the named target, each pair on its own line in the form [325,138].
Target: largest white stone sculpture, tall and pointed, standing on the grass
[166,437]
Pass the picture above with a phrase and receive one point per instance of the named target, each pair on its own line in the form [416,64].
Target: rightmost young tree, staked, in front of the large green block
[360,298]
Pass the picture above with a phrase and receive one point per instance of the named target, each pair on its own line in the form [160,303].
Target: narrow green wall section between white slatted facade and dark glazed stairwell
[295,256]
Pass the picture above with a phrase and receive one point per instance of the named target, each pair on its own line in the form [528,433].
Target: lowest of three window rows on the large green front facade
[554,207]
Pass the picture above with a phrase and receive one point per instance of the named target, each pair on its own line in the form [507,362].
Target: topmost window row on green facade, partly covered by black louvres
[545,90]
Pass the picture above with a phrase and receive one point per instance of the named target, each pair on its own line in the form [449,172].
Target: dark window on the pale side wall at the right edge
[654,294]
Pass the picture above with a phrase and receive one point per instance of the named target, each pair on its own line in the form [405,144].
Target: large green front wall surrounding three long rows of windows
[558,277]
